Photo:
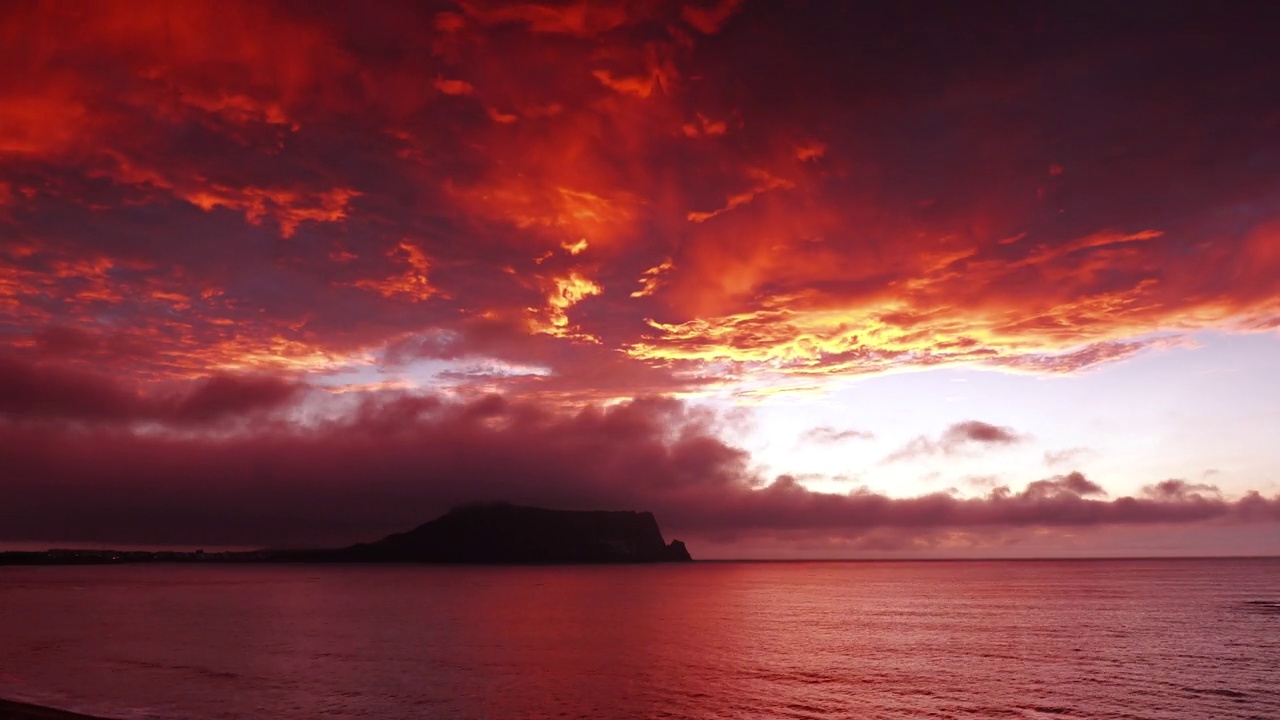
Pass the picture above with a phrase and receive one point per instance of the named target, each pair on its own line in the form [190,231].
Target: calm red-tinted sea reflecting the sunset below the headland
[1123,640]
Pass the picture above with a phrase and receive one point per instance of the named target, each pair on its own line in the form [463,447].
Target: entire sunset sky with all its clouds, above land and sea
[804,279]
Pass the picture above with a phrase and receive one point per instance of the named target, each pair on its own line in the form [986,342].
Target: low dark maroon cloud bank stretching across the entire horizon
[391,459]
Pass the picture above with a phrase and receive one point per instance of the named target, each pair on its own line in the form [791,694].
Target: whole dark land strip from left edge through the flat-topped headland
[482,535]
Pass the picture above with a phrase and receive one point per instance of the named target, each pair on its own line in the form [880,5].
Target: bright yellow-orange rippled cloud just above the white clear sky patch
[952,311]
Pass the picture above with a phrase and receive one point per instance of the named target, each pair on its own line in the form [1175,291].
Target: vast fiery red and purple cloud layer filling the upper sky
[817,253]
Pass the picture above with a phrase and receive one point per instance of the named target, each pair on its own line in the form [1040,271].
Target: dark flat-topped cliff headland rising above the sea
[510,534]
